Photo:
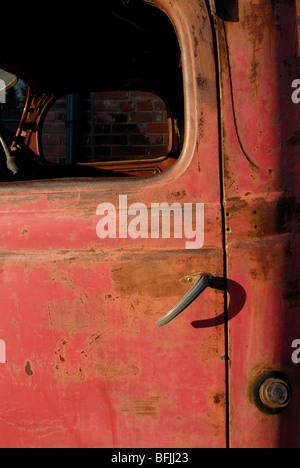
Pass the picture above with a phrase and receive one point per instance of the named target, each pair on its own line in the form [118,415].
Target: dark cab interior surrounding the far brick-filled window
[121,45]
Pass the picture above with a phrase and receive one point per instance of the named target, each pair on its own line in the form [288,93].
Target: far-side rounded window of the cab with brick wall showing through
[109,129]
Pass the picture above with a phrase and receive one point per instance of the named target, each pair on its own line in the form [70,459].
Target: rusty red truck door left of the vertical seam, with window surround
[85,364]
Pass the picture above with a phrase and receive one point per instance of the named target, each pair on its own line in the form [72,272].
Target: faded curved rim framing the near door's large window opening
[180,14]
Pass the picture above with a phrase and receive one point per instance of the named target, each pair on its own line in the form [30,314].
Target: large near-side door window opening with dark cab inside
[110,106]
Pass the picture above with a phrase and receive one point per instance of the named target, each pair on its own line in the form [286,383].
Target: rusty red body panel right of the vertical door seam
[258,59]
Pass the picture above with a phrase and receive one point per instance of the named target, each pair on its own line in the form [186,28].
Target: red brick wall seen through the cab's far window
[114,126]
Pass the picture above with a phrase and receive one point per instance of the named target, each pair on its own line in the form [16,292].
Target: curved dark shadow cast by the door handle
[237,301]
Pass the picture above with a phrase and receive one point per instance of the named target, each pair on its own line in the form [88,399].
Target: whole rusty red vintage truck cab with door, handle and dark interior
[87,270]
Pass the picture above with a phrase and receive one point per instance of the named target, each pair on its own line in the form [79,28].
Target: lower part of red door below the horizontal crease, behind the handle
[86,365]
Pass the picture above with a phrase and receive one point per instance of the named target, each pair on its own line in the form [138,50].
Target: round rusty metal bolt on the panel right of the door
[275,393]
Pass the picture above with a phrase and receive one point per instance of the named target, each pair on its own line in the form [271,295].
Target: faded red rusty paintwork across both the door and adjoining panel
[86,365]
